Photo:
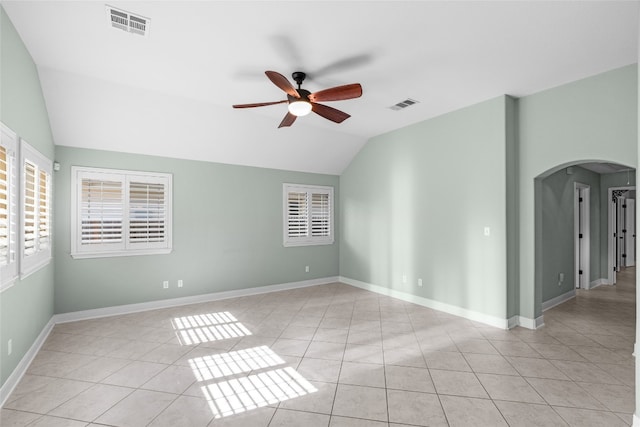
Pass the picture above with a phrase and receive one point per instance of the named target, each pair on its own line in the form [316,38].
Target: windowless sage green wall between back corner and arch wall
[415,202]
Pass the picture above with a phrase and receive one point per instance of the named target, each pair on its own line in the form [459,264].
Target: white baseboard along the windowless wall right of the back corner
[426,302]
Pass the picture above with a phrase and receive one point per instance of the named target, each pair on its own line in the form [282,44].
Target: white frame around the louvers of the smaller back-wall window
[306,240]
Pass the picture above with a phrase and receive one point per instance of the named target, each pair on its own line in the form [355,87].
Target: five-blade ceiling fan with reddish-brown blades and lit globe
[302,102]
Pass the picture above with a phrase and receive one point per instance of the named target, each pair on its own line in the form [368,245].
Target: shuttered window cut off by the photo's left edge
[8,208]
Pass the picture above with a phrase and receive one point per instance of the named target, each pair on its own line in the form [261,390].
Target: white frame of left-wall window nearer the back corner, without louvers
[32,263]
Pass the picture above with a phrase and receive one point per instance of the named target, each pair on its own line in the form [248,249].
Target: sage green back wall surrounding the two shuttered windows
[227,235]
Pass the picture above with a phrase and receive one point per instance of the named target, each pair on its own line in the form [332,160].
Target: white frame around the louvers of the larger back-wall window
[78,251]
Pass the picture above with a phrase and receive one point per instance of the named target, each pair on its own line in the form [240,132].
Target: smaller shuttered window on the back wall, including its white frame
[308,215]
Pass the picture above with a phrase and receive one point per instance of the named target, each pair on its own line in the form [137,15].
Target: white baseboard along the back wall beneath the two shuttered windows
[194,299]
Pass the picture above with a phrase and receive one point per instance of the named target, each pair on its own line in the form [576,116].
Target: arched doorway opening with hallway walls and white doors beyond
[573,237]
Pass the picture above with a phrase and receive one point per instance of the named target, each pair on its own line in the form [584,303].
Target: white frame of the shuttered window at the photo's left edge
[9,273]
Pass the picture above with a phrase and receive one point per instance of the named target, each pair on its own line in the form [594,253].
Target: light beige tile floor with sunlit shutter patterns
[335,356]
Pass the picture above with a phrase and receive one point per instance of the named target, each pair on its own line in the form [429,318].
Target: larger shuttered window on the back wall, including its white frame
[118,213]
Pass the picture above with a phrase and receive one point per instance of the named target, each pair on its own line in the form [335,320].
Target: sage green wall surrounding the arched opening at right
[590,119]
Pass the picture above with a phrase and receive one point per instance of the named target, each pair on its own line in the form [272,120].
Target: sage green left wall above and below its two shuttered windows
[27,306]
